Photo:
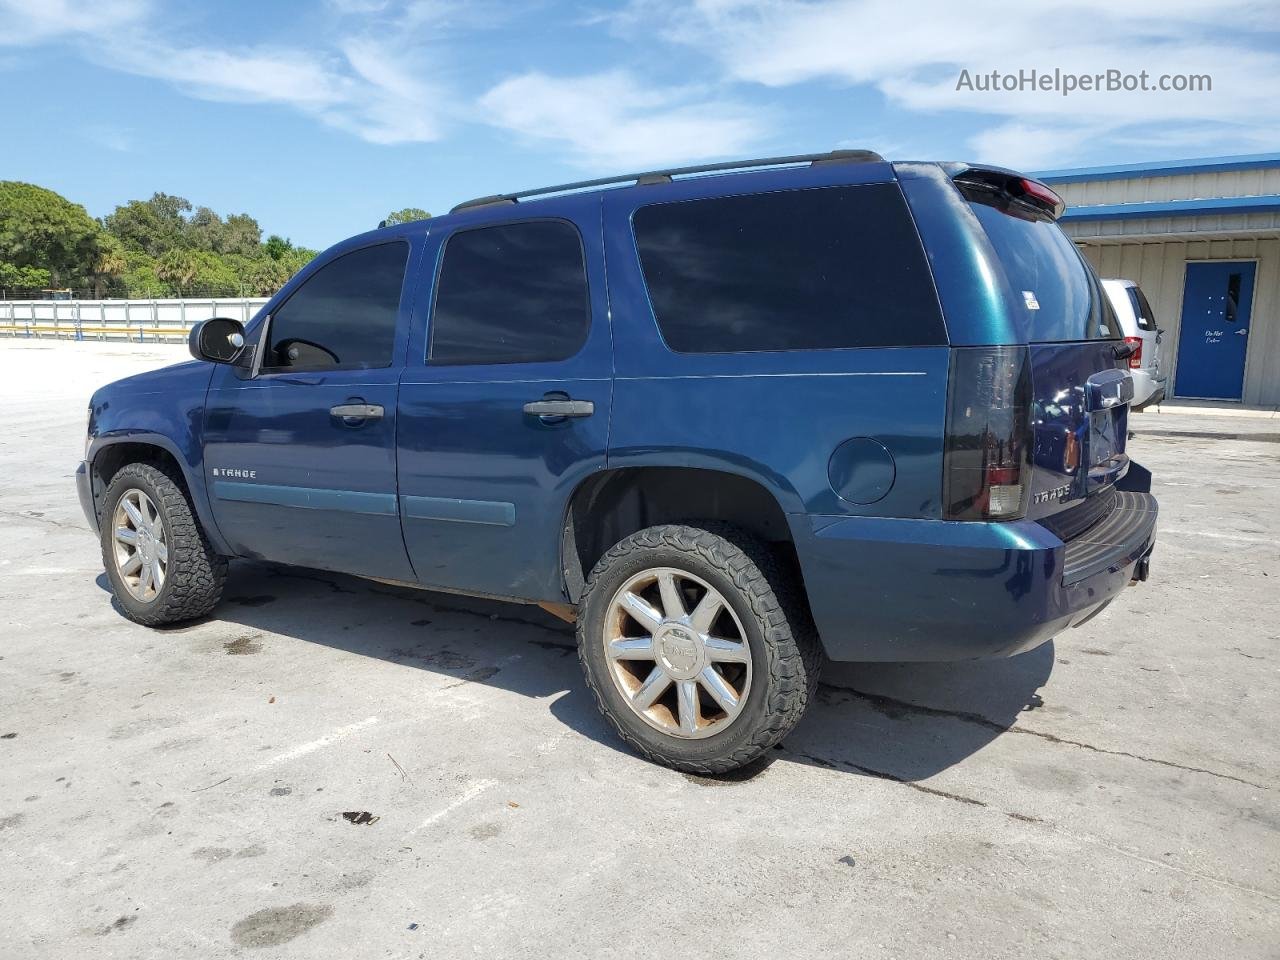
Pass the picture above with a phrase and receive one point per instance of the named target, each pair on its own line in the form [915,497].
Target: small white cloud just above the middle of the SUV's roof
[616,120]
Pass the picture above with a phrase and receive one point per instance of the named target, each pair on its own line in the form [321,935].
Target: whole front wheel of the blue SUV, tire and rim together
[158,560]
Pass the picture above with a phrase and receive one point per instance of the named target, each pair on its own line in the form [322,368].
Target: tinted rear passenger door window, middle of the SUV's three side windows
[514,294]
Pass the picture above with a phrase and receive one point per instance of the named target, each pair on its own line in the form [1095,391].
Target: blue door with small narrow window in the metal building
[1215,331]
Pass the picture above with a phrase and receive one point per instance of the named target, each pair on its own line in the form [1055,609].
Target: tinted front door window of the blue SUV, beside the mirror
[344,316]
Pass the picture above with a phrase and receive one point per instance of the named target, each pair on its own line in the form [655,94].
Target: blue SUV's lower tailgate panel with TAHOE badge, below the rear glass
[1081,417]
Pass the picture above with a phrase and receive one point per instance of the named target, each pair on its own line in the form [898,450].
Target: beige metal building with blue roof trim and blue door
[1203,239]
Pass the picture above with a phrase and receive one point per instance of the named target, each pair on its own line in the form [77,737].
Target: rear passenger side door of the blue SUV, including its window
[505,405]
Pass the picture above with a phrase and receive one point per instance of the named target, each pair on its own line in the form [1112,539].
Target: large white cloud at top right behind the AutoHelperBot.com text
[913,54]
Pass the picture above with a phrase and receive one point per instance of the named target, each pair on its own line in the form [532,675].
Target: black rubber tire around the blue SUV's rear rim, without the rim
[770,605]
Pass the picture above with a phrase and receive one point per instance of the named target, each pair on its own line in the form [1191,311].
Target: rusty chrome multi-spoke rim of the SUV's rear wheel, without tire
[678,653]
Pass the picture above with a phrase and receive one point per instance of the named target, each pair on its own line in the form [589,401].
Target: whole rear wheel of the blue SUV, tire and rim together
[697,646]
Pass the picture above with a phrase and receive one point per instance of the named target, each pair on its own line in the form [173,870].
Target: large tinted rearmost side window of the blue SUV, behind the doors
[803,269]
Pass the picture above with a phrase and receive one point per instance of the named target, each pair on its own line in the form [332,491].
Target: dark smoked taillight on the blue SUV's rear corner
[986,460]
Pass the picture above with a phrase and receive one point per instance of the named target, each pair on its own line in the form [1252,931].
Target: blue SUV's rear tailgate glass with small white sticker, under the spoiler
[1058,296]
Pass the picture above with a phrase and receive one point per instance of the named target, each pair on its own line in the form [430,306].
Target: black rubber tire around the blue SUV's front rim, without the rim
[196,574]
